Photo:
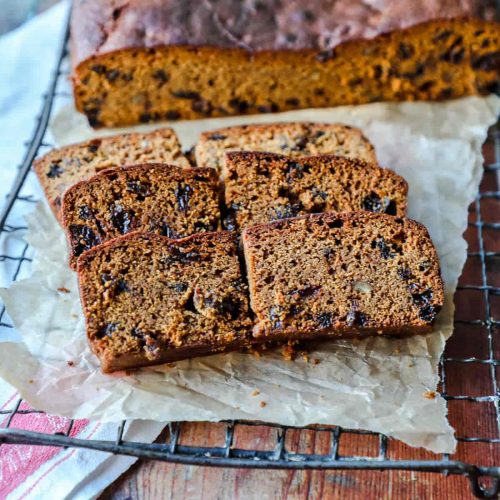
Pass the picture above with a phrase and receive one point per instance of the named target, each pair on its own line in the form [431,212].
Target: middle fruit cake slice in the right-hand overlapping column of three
[262,187]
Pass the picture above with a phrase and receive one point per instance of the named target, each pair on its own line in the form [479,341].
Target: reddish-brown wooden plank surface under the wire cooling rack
[153,480]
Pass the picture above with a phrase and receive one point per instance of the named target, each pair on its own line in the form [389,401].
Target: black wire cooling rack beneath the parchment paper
[469,368]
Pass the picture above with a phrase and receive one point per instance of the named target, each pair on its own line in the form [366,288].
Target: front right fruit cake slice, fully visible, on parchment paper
[338,275]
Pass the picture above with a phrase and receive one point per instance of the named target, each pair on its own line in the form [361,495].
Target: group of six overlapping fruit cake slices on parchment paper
[328,250]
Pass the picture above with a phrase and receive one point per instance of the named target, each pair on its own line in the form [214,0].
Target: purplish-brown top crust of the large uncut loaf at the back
[251,26]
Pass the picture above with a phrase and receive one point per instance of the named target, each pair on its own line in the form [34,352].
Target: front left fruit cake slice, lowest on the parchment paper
[148,299]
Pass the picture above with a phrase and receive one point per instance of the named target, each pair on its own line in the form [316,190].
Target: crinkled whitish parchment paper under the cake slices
[383,385]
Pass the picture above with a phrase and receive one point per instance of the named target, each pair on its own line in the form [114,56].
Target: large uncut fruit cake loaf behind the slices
[143,60]
